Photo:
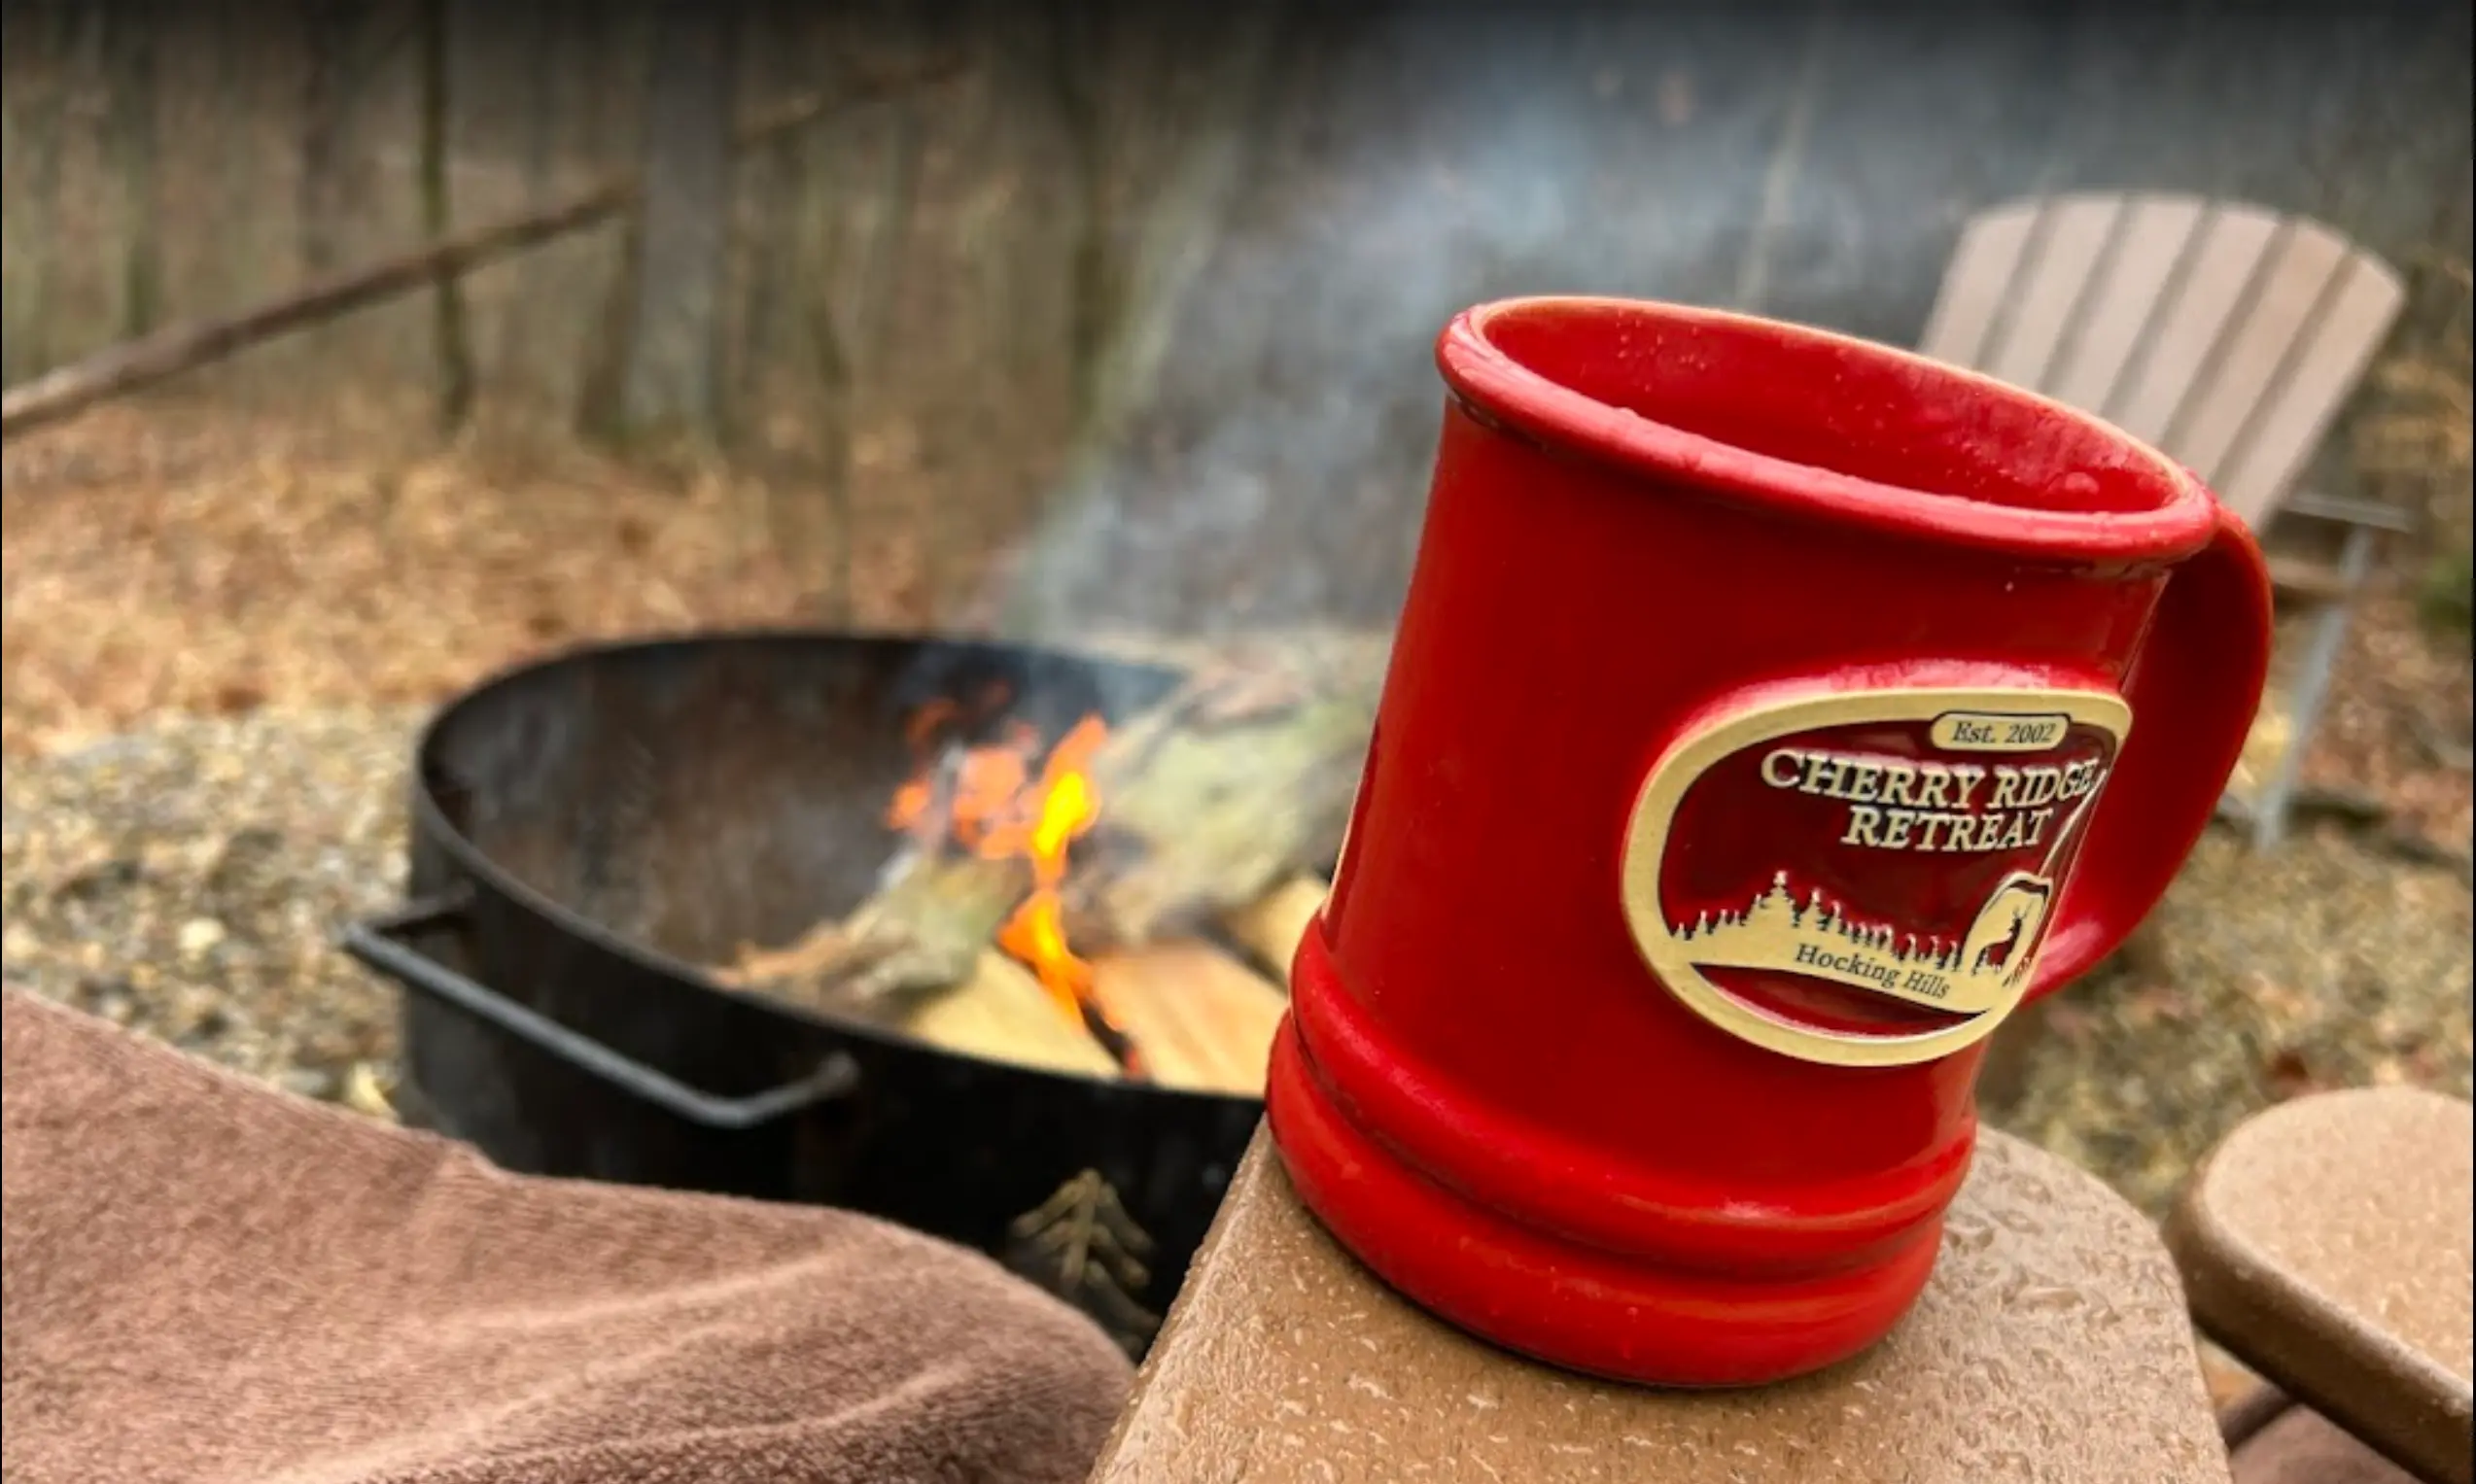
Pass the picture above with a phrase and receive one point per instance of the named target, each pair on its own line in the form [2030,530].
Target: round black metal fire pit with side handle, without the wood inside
[593,830]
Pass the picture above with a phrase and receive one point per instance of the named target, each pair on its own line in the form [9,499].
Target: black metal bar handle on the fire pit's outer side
[378,944]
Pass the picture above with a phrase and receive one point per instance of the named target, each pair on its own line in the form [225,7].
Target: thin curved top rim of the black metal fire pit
[494,877]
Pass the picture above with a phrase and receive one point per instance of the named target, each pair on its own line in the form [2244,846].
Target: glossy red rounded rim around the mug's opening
[1502,387]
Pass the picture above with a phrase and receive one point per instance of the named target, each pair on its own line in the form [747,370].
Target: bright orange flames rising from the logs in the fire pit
[997,810]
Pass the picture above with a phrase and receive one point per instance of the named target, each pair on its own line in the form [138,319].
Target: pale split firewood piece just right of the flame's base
[1197,1018]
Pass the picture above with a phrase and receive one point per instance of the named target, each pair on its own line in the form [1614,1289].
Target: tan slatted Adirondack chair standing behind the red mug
[2222,335]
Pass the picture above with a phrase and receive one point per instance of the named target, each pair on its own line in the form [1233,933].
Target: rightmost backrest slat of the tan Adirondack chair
[2326,370]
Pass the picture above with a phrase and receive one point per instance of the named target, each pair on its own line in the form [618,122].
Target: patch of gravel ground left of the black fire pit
[189,882]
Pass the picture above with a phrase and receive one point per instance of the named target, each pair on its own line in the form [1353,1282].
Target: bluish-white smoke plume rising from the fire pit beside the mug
[1279,466]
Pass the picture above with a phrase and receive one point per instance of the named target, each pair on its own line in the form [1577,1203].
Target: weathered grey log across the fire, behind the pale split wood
[1195,810]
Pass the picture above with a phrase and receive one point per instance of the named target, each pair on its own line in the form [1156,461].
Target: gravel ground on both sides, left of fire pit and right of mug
[187,879]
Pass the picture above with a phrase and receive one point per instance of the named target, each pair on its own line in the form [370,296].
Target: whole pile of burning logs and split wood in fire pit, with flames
[1205,815]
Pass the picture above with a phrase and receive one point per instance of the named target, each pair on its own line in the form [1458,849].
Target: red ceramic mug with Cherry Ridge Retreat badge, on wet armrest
[1772,714]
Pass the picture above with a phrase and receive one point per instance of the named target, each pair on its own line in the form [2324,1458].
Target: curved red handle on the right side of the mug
[2195,691]
